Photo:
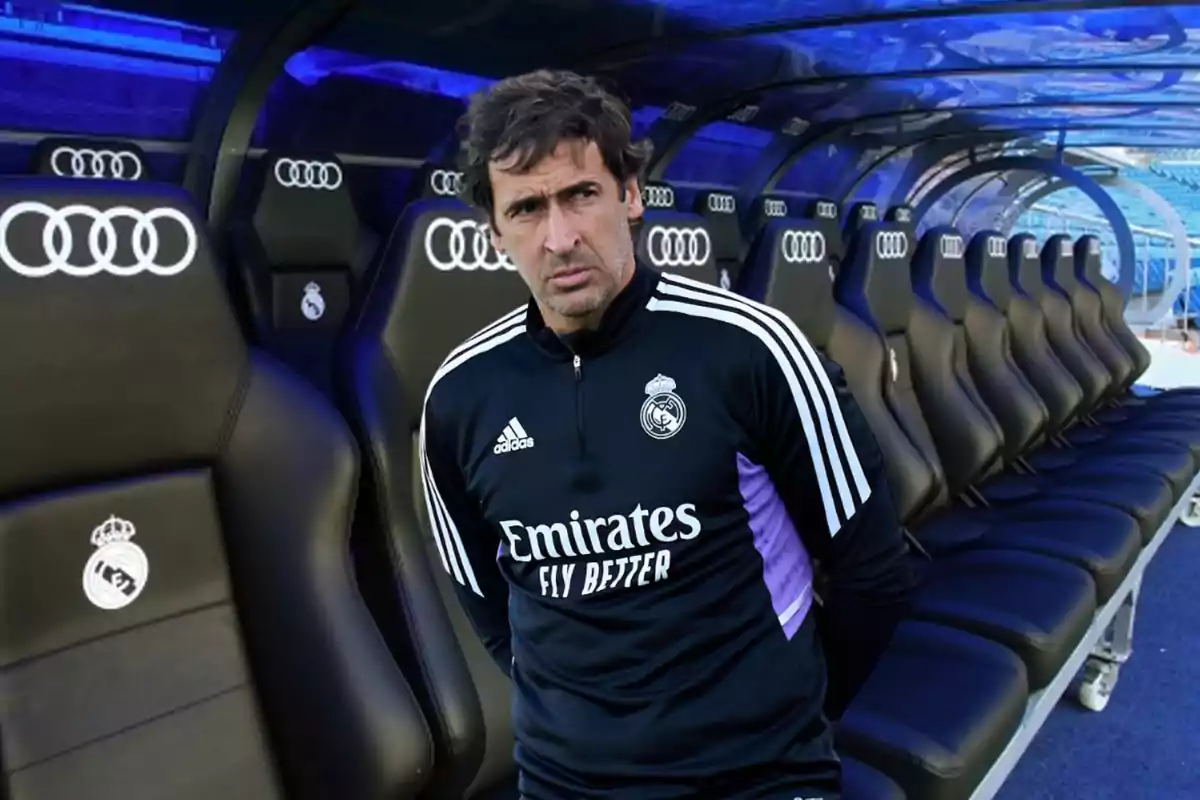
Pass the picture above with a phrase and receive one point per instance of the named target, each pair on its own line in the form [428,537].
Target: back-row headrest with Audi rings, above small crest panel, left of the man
[305,215]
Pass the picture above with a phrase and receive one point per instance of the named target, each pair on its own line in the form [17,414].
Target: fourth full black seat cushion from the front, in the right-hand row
[1148,498]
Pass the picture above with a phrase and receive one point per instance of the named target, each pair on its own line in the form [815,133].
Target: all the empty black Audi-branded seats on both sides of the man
[995,376]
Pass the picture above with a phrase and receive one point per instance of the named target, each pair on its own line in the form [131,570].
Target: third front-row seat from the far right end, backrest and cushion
[1057,363]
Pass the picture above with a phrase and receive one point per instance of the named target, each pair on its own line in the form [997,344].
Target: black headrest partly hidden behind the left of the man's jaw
[440,281]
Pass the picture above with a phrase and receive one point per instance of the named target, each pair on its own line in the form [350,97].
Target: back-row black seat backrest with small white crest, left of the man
[299,261]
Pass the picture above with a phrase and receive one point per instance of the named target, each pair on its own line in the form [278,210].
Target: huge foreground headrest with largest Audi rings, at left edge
[122,353]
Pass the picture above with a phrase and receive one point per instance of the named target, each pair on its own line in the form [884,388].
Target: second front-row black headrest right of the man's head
[794,260]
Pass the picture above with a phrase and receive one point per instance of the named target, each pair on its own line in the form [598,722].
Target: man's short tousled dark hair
[529,116]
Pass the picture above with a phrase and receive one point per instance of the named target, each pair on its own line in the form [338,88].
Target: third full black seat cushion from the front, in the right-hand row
[1105,542]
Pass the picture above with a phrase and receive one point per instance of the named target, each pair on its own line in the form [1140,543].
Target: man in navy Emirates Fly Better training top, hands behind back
[631,480]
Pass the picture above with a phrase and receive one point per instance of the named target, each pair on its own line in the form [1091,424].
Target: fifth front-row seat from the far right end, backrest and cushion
[969,436]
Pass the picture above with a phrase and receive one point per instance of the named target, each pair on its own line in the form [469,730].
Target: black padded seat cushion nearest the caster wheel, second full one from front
[1036,606]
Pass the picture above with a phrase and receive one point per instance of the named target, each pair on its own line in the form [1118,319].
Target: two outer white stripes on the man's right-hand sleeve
[811,366]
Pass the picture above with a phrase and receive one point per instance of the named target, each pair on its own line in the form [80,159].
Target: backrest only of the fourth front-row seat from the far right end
[1012,399]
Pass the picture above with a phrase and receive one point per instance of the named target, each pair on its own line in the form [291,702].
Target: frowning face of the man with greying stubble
[566,226]
